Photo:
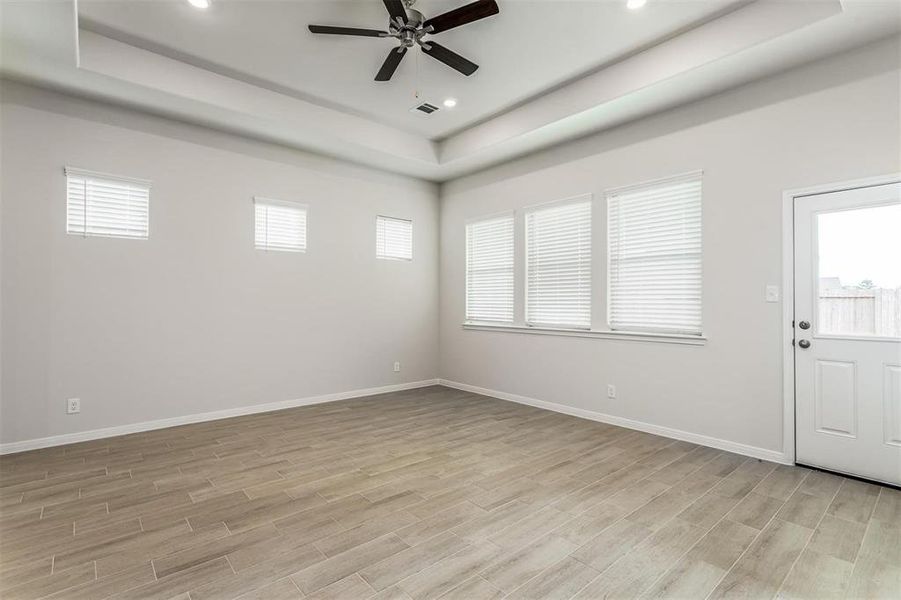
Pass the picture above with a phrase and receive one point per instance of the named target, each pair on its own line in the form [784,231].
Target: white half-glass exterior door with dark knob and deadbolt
[847,333]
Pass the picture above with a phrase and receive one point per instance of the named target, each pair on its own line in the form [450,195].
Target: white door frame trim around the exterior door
[788,293]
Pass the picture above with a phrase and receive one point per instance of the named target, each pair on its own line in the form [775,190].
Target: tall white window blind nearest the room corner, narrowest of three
[489,270]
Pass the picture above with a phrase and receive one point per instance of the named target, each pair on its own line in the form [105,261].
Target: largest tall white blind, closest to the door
[654,256]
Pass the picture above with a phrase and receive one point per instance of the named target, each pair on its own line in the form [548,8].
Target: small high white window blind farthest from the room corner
[106,205]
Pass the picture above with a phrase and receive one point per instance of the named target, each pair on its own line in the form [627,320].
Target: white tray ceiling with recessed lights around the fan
[550,70]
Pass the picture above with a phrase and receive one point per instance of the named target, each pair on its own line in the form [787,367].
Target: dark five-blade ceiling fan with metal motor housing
[410,26]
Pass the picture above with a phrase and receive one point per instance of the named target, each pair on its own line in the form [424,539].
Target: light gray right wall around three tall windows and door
[834,120]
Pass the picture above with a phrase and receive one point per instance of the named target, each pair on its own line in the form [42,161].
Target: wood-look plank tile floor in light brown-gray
[433,493]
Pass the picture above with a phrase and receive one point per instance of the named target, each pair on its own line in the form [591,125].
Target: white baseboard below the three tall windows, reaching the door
[678,434]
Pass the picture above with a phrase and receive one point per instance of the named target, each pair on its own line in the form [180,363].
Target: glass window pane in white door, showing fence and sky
[860,272]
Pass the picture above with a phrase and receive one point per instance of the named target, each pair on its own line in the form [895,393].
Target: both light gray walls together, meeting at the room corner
[195,320]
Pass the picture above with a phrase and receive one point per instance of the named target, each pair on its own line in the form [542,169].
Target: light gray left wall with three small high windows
[194,319]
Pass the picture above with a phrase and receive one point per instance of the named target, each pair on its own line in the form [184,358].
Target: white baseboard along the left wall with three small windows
[96,434]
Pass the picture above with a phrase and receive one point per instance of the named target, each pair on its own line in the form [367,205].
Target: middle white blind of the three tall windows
[558,265]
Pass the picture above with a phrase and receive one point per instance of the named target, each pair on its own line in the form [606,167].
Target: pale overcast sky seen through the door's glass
[862,244]
